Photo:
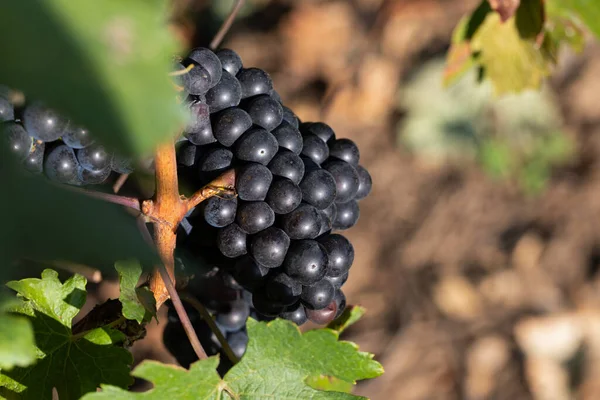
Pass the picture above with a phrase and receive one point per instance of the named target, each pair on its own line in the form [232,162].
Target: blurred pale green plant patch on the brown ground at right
[516,136]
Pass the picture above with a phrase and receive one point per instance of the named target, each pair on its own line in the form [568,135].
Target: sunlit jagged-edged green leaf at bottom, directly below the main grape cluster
[279,363]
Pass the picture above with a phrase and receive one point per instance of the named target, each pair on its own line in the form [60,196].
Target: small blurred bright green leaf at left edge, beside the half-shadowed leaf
[17,344]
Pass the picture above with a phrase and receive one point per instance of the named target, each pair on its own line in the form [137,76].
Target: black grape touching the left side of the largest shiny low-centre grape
[269,247]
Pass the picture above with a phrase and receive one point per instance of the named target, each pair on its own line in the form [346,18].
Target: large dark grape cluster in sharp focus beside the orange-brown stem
[295,184]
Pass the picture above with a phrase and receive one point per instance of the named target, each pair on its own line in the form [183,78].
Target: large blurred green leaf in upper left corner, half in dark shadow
[103,64]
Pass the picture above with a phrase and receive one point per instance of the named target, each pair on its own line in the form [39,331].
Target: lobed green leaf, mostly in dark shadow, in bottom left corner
[73,364]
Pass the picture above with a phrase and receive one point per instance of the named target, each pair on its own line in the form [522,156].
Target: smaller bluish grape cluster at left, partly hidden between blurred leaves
[48,143]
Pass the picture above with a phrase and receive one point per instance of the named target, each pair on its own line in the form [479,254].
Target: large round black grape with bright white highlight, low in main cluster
[306,261]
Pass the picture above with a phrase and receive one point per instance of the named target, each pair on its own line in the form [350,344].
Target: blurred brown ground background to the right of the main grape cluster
[478,251]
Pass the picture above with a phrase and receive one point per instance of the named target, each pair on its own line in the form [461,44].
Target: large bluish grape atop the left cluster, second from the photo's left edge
[43,123]
